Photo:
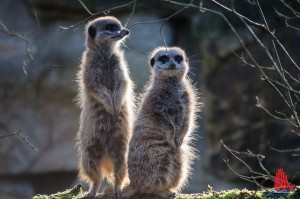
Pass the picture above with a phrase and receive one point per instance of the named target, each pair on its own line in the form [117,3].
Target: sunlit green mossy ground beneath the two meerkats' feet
[76,193]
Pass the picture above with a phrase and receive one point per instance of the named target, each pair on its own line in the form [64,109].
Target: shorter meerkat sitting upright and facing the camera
[160,151]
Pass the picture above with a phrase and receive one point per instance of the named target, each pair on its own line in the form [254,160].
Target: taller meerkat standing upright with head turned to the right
[105,97]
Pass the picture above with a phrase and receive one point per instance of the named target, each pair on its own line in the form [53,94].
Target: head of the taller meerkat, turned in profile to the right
[105,31]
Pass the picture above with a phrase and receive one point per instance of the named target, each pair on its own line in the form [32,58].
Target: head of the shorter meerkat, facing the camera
[169,62]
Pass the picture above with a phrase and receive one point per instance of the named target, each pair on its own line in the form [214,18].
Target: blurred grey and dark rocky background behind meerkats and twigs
[38,65]
